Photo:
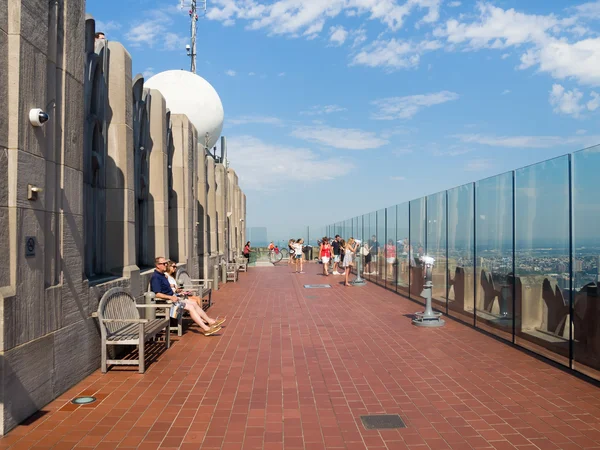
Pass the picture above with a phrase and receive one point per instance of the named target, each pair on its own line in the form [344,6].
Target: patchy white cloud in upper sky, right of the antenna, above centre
[394,54]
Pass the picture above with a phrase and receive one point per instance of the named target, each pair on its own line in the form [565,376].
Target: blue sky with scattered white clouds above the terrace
[335,108]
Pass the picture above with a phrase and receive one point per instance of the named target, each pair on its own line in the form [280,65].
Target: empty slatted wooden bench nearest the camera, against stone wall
[120,324]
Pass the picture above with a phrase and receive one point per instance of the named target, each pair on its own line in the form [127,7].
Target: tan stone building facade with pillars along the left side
[87,200]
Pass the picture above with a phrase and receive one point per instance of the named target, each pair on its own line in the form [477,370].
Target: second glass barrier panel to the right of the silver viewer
[461,252]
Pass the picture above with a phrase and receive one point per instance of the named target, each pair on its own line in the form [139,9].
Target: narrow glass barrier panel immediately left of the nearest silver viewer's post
[416,247]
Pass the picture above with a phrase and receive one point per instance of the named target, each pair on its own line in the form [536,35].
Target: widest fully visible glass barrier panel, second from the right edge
[542,282]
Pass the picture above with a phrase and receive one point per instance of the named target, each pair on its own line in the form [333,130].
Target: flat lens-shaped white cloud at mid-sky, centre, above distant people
[343,138]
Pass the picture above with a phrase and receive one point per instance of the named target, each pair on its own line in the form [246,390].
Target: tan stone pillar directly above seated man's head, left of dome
[158,201]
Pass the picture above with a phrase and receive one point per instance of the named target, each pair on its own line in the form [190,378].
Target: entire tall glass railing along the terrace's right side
[516,254]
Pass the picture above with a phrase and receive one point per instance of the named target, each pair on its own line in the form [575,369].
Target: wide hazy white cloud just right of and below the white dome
[266,166]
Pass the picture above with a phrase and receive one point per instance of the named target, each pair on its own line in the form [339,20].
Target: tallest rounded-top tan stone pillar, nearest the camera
[120,183]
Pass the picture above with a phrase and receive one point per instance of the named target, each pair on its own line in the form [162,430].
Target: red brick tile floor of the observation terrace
[295,368]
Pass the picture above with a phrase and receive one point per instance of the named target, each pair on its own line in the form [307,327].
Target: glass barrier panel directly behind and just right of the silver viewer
[436,247]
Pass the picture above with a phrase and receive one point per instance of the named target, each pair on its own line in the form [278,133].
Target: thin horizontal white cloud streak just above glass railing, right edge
[527,141]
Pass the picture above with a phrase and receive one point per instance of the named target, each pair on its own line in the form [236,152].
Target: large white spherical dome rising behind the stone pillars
[190,94]
